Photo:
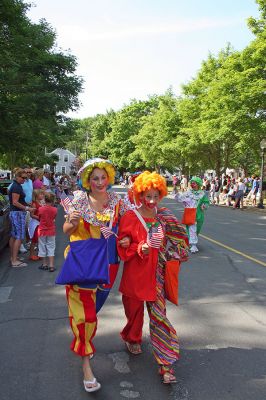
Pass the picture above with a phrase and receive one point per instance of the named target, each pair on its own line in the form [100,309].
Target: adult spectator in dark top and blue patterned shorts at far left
[18,211]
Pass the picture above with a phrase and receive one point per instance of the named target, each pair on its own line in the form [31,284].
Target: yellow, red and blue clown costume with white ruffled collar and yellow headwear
[85,300]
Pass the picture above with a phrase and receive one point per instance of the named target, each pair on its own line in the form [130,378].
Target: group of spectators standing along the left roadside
[32,195]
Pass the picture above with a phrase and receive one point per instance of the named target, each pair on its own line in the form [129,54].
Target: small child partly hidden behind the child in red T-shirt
[37,202]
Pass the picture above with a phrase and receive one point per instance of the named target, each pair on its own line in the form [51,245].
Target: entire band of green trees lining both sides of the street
[217,122]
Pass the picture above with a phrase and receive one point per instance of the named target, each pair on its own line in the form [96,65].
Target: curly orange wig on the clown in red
[149,180]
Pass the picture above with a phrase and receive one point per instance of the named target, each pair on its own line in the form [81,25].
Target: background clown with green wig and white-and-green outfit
[196,199]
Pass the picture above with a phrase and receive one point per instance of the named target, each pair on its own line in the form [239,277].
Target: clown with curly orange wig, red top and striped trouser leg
[154,235]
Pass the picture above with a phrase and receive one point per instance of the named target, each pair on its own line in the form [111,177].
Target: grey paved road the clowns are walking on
[221,323]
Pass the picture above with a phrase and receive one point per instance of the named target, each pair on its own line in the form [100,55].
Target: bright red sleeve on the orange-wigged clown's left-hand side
[129,226]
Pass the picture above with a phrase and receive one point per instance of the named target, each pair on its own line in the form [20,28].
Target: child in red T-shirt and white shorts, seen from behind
[46,240]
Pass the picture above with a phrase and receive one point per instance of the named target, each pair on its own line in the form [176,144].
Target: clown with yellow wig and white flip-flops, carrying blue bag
[92,208]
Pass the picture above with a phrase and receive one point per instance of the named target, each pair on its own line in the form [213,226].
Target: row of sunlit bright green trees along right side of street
[217,122]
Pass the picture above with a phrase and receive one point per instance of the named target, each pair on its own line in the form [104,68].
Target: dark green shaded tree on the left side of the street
[37,85]
